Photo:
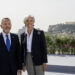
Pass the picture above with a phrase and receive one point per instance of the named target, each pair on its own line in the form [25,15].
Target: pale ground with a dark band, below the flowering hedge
[60,65]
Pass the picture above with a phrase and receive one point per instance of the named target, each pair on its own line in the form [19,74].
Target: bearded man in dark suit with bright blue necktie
[10,52]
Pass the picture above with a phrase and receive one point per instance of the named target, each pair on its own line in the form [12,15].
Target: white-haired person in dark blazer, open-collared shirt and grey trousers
[33,45]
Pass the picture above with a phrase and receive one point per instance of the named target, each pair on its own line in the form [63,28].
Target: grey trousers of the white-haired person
[31,69]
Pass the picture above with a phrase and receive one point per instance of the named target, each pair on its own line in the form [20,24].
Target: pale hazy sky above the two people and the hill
[46,12]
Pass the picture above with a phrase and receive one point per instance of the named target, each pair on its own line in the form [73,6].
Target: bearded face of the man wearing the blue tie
[6,26]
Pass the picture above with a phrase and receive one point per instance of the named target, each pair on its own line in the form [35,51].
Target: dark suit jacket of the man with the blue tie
[10,62]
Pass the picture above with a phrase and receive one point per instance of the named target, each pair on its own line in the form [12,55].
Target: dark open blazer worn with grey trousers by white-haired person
[38,50]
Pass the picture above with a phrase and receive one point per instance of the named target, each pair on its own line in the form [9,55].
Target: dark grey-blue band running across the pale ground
[61,69]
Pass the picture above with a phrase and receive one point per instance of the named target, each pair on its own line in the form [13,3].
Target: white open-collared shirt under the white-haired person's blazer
[29,40]
